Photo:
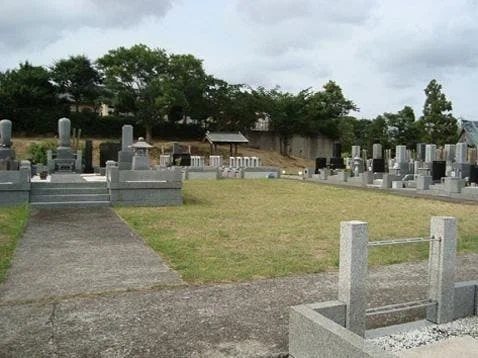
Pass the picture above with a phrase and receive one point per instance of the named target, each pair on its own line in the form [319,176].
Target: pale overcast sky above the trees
[382,53]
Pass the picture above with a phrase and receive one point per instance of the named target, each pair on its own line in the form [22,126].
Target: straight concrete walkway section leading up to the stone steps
[67,252]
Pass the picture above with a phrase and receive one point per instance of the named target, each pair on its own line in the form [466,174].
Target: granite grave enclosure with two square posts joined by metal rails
[338,328]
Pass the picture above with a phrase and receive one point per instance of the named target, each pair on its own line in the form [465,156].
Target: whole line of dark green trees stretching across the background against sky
[154,87]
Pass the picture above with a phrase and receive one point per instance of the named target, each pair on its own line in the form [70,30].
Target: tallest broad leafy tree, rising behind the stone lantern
[138,79]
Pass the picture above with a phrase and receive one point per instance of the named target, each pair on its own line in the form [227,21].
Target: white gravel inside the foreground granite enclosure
[430,334]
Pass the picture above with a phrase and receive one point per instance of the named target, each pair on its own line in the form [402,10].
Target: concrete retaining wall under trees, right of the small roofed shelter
[299,146]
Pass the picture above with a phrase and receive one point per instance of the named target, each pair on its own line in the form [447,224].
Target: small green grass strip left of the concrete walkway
[12,223]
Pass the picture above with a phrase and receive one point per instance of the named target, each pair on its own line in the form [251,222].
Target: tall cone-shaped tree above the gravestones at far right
[439,124]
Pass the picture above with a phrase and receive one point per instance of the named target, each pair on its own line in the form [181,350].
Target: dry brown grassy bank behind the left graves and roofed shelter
[289,164]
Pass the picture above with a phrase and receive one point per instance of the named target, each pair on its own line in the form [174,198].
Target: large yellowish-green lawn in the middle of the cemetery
[234,230]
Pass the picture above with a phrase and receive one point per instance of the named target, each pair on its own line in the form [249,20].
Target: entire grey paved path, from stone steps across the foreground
[95,290]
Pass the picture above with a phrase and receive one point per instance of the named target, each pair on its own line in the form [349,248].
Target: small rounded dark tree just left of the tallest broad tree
[77,78]
